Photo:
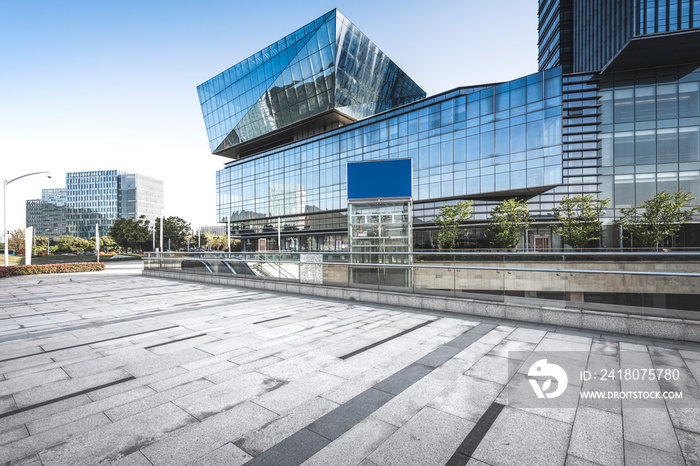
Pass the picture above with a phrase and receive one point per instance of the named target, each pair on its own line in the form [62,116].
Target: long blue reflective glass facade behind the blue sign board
[468,142]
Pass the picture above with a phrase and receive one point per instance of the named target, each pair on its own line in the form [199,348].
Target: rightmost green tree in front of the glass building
[662,217]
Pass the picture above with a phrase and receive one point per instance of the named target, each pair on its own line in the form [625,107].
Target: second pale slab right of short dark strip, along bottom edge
[597,436]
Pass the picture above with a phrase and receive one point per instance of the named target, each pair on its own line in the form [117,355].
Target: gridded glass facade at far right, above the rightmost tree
[650,134]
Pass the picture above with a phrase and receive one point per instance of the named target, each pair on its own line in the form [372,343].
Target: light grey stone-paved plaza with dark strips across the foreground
[115,367]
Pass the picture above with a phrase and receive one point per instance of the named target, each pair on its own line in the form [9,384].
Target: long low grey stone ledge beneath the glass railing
[629,324]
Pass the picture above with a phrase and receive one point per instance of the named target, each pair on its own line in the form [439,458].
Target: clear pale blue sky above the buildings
[97,85]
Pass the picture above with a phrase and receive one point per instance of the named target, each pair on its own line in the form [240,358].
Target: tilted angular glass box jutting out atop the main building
[329,64]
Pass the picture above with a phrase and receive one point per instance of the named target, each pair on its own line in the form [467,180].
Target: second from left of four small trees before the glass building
[509,220]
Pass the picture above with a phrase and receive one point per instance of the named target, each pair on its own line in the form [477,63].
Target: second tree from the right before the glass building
[579,219]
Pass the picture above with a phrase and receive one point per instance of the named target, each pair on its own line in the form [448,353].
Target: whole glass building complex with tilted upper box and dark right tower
[605,114]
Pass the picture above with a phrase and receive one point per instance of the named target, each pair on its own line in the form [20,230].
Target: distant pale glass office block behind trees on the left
[96,197]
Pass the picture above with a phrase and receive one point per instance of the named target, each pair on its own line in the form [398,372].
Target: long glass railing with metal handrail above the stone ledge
[650,283]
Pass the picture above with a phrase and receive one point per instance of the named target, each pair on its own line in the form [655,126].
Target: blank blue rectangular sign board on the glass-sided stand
[380,179]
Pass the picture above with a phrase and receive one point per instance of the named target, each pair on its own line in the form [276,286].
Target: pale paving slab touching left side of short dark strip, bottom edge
[428,438]
